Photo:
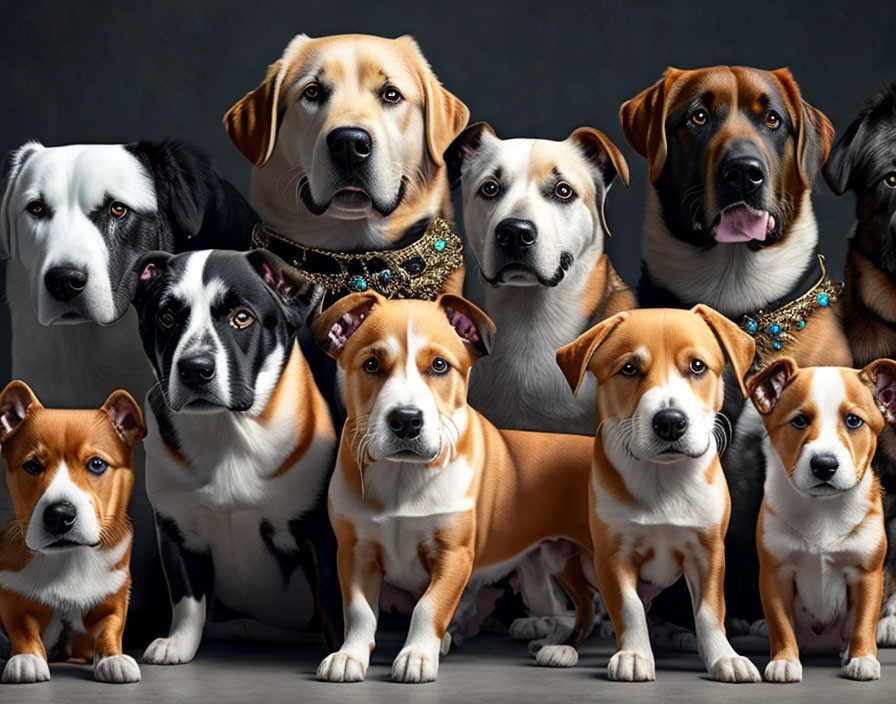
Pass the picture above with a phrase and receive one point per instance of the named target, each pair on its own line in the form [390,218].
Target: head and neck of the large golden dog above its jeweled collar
[347,134]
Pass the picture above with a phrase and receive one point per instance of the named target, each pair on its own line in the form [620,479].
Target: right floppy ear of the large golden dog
[445,114]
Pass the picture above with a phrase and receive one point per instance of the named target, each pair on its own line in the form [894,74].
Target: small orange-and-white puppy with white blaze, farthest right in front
[820,535]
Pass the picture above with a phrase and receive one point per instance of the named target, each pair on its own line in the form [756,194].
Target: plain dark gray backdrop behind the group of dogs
[116,71]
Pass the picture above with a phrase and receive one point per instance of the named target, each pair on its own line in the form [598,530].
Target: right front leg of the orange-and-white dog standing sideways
[450,570]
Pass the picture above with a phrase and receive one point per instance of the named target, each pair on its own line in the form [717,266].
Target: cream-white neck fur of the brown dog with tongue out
[728,277]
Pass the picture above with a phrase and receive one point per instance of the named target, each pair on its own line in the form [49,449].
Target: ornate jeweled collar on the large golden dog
[417,270]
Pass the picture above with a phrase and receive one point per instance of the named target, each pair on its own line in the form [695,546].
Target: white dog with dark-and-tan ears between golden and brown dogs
[534,215]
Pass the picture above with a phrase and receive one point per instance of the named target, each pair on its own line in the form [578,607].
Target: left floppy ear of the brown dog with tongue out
[643,121]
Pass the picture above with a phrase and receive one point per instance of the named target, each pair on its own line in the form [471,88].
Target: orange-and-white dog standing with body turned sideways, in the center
[427,494]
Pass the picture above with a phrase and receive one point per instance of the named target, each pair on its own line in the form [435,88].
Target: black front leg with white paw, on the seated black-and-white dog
[190,577]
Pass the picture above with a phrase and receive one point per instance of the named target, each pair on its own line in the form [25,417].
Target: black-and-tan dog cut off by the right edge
[864,161]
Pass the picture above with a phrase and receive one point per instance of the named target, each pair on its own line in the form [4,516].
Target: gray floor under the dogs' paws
[490,668]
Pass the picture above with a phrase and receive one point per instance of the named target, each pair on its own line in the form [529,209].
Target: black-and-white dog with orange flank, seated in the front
[240,447]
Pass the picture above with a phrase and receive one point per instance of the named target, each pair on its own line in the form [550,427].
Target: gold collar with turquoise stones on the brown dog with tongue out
[775,329]
